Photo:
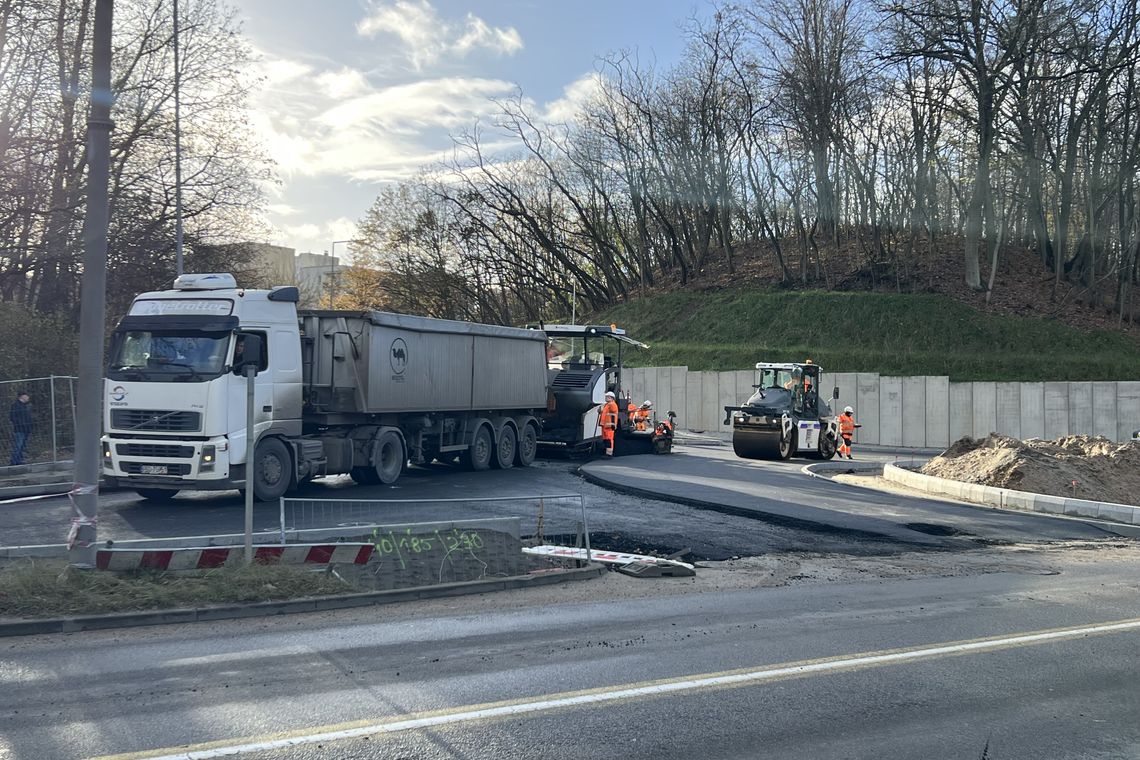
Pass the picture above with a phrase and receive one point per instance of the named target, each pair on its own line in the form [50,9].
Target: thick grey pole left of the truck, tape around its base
[85,494]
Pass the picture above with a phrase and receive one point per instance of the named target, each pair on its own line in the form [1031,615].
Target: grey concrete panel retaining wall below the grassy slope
[925,412]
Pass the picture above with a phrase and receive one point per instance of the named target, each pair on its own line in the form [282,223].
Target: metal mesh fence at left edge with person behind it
[42,428]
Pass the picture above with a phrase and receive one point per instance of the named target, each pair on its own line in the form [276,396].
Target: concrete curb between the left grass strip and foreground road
[294,607]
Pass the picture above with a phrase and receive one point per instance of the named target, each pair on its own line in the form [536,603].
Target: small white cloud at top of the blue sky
[427,38]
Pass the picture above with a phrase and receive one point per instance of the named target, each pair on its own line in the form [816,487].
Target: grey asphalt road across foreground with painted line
[931,668]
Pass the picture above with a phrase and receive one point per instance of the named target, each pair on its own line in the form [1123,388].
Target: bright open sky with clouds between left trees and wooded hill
[360,94]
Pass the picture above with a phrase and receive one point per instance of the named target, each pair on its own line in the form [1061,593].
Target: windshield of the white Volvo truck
[168,357]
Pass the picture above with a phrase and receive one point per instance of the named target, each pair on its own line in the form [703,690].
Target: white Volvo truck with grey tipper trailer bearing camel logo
[336,393]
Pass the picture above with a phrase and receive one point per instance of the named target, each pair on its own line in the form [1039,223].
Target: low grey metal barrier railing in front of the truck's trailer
[556,519]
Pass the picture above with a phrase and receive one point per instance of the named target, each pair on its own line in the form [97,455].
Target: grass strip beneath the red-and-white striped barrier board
[48,589]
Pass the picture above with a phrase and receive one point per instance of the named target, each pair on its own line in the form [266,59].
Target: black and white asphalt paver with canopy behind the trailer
[584,362]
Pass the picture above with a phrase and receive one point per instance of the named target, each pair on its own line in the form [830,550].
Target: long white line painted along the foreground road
[617,693]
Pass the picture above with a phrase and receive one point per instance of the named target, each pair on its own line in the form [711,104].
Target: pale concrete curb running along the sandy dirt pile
[1008,500]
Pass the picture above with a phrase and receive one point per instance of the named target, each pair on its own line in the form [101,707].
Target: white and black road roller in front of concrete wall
[785,416]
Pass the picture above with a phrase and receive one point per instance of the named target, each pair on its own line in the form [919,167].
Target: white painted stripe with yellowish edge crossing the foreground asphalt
[618,693]
